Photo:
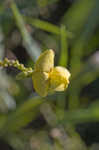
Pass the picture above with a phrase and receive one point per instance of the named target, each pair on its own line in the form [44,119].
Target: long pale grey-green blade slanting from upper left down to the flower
[31,46]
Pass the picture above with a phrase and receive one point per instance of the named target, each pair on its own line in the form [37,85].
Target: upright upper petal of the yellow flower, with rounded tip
[45,62]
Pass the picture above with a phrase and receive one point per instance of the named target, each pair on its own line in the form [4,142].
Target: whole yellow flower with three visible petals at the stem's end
[47,78]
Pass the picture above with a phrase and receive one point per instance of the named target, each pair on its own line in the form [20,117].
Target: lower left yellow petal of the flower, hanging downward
[40,83]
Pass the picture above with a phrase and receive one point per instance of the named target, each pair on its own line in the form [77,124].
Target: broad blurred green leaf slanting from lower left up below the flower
[24,114]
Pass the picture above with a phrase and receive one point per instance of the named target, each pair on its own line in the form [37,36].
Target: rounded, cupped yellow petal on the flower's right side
[59,79]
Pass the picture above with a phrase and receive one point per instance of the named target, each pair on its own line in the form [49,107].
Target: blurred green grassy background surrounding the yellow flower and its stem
[65,120]
